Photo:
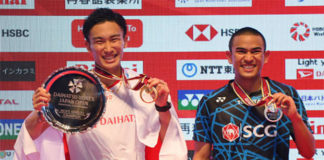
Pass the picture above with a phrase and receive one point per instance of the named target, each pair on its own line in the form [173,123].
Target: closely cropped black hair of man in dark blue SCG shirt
[246,30]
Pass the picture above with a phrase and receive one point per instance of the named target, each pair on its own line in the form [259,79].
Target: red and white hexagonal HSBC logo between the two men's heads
[201,32]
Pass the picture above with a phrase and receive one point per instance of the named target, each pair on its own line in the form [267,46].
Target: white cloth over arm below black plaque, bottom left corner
[48,145]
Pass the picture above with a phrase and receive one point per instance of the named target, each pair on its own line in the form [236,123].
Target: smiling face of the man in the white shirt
[107,45]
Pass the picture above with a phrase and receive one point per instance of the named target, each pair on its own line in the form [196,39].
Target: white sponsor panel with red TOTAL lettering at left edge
[16,100]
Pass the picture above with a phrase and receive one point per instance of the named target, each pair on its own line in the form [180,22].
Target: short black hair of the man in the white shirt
[101,15]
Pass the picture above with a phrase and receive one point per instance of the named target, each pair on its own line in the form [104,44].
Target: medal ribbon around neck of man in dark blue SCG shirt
[265,90]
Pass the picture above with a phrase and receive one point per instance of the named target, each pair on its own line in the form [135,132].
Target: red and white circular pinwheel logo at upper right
[300,31]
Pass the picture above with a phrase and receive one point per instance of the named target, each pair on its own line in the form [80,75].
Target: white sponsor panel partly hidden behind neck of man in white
[136,66]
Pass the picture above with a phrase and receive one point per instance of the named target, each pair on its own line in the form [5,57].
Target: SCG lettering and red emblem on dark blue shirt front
[231,131]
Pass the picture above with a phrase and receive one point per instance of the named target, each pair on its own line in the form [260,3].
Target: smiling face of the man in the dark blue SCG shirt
[247,56]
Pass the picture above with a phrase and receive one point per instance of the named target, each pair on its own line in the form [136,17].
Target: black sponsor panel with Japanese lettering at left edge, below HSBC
[17,71]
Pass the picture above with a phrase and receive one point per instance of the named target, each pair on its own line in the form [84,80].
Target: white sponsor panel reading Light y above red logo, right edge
[304,68]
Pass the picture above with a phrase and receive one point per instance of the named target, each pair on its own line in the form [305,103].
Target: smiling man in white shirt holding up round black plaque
[127,126]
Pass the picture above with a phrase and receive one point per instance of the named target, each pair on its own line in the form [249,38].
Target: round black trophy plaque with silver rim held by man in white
[77,100]
